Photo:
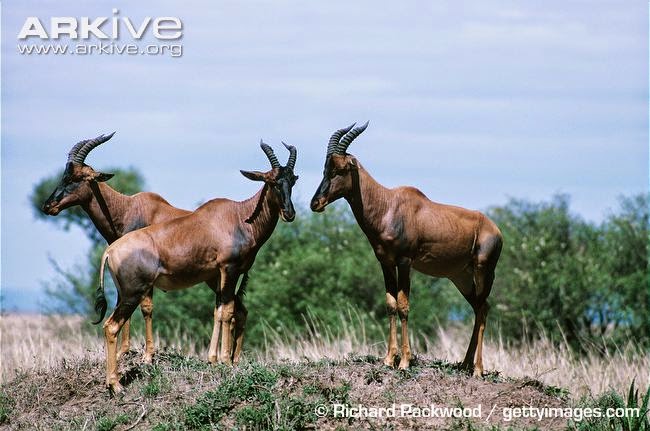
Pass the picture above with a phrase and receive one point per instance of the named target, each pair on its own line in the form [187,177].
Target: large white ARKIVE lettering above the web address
[113,28]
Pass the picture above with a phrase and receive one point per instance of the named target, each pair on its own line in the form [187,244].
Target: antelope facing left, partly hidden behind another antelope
[114,215]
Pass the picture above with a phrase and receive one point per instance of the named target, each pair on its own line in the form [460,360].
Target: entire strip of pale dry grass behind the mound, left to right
[41,342]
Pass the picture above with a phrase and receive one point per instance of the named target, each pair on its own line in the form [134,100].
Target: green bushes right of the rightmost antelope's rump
[570,278]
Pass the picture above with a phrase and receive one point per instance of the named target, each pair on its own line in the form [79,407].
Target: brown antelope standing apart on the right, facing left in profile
[406,230]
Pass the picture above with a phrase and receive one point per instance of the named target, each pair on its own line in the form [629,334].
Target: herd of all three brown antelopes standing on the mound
[153,244]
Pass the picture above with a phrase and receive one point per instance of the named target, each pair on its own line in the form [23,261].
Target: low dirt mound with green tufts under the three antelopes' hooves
[179,392]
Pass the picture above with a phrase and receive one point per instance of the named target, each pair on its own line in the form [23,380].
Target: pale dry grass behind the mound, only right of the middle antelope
[591,374]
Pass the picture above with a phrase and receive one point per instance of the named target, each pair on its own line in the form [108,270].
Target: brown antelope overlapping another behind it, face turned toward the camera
[216,243]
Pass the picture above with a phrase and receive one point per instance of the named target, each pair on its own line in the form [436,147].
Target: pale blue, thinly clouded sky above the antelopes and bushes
[472,102]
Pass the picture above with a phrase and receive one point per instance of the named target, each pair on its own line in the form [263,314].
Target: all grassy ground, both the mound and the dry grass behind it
[50,364]
